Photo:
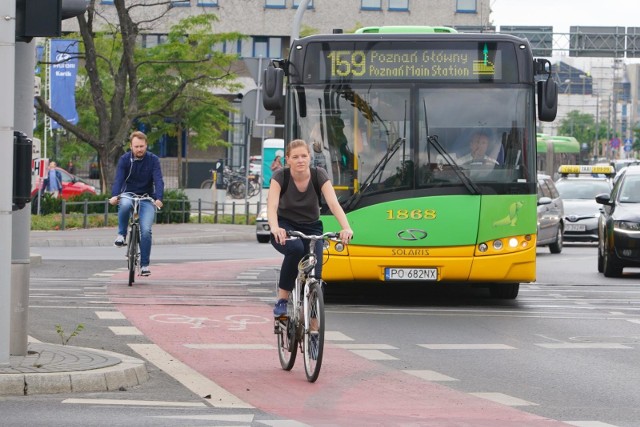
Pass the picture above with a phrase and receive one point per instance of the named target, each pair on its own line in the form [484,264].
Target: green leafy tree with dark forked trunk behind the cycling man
[123,85]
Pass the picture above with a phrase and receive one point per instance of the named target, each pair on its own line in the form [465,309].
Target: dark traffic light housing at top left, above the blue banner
[43,18]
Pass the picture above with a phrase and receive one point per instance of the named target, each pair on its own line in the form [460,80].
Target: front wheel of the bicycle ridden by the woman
[313,344]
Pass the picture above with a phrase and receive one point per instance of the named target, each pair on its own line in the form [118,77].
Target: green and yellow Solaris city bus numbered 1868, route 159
[392,111]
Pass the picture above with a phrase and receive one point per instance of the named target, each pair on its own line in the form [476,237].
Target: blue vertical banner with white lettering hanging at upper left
[62,80]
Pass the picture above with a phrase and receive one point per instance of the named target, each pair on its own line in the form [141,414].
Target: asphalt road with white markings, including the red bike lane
[566,349]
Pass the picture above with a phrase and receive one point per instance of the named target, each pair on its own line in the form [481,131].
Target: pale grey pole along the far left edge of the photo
[7,89]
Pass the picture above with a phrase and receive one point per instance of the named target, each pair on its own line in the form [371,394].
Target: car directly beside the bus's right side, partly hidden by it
[550,215]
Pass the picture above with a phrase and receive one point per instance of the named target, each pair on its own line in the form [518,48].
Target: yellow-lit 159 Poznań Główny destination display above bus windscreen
[441,64]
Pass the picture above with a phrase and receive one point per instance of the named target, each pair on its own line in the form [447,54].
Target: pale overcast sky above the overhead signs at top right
[562,14]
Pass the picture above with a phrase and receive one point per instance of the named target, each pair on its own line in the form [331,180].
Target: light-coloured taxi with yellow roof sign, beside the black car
[578,192]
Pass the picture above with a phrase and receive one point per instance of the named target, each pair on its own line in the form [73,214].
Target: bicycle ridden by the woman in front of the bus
[303,325]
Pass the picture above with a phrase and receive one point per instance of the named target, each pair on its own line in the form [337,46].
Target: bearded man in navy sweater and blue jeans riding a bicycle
[138,172]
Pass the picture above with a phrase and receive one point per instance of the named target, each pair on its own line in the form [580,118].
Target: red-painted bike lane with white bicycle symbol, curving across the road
[194,312]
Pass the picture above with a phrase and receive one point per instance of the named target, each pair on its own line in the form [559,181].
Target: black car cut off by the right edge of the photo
[619,224]
